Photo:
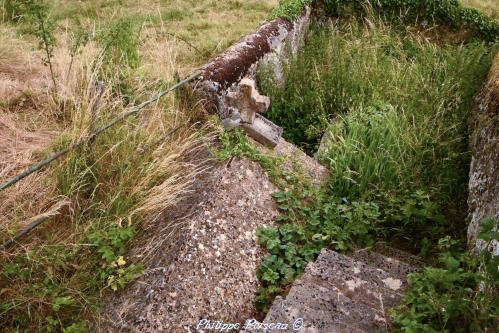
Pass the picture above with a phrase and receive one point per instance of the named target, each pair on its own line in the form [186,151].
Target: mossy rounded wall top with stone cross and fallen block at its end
[227,82]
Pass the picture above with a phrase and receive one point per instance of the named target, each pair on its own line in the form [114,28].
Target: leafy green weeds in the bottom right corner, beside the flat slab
[459,295]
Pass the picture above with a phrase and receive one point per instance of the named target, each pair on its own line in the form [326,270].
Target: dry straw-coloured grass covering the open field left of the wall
[131,173]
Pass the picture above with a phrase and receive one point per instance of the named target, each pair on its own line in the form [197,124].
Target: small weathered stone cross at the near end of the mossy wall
[248,101]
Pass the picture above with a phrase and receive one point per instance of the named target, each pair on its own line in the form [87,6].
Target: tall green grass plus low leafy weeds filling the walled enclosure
[392,113]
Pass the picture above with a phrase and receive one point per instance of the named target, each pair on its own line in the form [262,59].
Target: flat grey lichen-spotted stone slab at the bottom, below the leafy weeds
[340,293]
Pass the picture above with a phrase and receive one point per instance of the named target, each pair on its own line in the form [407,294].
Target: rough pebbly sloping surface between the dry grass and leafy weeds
[213,275]
